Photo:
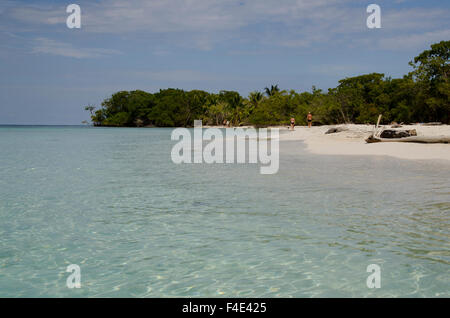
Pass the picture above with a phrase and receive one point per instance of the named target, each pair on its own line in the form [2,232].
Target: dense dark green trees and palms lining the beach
[421,96]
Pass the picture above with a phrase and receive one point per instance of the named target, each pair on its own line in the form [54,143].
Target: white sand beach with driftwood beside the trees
[352,142]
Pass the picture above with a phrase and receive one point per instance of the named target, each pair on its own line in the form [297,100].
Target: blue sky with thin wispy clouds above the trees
[49,72]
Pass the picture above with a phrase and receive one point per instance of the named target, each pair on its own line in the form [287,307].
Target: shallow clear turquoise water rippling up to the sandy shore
[112,201]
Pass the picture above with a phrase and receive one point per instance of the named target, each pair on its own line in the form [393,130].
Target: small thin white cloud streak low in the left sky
[49,46]
